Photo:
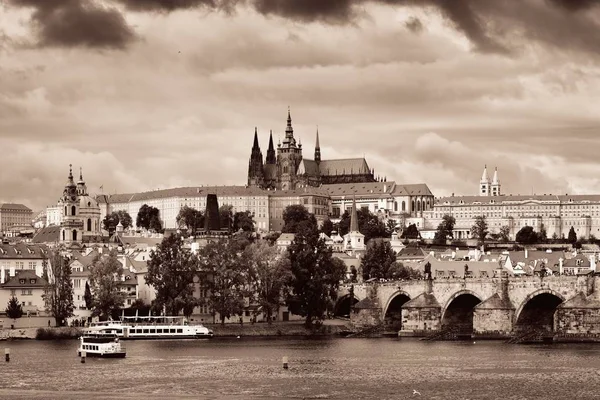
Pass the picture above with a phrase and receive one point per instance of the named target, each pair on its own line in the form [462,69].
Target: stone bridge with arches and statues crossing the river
[496,307]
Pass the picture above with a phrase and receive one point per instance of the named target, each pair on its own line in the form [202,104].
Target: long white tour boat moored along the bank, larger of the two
[151,327]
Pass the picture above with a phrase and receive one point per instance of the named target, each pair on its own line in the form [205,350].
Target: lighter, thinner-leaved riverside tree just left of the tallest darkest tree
[268,273]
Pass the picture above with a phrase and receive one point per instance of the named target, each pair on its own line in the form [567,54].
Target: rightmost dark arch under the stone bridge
[537,310]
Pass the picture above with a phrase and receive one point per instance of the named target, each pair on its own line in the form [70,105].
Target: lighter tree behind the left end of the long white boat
[105,278]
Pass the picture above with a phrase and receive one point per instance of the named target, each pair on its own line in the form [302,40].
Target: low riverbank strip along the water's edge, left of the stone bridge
[280,329]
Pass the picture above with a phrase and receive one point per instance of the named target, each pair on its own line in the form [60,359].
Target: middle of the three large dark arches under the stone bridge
[458,310]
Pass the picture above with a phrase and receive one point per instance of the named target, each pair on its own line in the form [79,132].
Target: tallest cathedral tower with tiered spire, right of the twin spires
[289,156]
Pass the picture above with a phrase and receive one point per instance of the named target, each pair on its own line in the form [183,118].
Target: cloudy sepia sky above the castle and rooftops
[148,94]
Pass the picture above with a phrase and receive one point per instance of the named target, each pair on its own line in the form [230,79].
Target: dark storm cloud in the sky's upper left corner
[73,23]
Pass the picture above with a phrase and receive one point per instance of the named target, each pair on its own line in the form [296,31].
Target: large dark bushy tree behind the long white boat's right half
[171,271]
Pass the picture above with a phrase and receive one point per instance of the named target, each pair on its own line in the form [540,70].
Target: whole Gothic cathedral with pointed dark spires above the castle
[287,169]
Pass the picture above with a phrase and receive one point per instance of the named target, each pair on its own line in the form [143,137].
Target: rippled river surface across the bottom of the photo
[319,369]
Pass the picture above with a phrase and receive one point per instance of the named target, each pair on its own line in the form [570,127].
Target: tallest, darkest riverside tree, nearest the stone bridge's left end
[315,277]
